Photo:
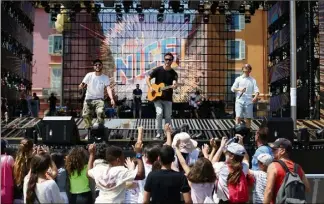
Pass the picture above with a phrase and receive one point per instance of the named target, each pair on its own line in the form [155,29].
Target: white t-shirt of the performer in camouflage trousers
[96,85]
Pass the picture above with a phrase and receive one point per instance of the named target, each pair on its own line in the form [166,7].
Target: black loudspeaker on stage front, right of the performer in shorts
[279,128]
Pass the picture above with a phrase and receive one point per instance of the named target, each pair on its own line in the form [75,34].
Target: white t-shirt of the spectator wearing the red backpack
[222,171]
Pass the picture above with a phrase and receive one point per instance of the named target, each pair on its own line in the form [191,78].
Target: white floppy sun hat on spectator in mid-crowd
[187,145]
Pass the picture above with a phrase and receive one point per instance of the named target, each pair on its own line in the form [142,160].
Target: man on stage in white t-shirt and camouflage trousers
[96,83]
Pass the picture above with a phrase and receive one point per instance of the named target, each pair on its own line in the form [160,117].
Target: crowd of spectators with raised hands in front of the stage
[176,172]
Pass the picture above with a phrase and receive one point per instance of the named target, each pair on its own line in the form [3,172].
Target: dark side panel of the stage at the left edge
[17,25]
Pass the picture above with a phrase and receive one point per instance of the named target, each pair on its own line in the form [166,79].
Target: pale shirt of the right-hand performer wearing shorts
[251,88]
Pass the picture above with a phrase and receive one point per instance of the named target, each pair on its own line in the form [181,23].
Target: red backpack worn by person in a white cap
[239,193]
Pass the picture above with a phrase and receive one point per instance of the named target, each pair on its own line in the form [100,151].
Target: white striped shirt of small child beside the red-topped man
[260,184]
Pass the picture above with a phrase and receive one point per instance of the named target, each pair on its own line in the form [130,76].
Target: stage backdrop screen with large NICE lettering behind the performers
[131,49]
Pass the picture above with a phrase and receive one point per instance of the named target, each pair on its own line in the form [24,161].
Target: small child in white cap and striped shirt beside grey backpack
[264,160]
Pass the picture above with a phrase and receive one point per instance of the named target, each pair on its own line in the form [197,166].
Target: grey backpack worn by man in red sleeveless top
[292,189]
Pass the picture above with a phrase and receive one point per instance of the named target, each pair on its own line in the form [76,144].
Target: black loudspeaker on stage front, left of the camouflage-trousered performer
[60,130]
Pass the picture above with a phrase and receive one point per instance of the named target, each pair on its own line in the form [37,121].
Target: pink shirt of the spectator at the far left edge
[7,183]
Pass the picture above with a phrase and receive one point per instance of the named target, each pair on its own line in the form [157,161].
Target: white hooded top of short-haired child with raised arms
[111,182]
